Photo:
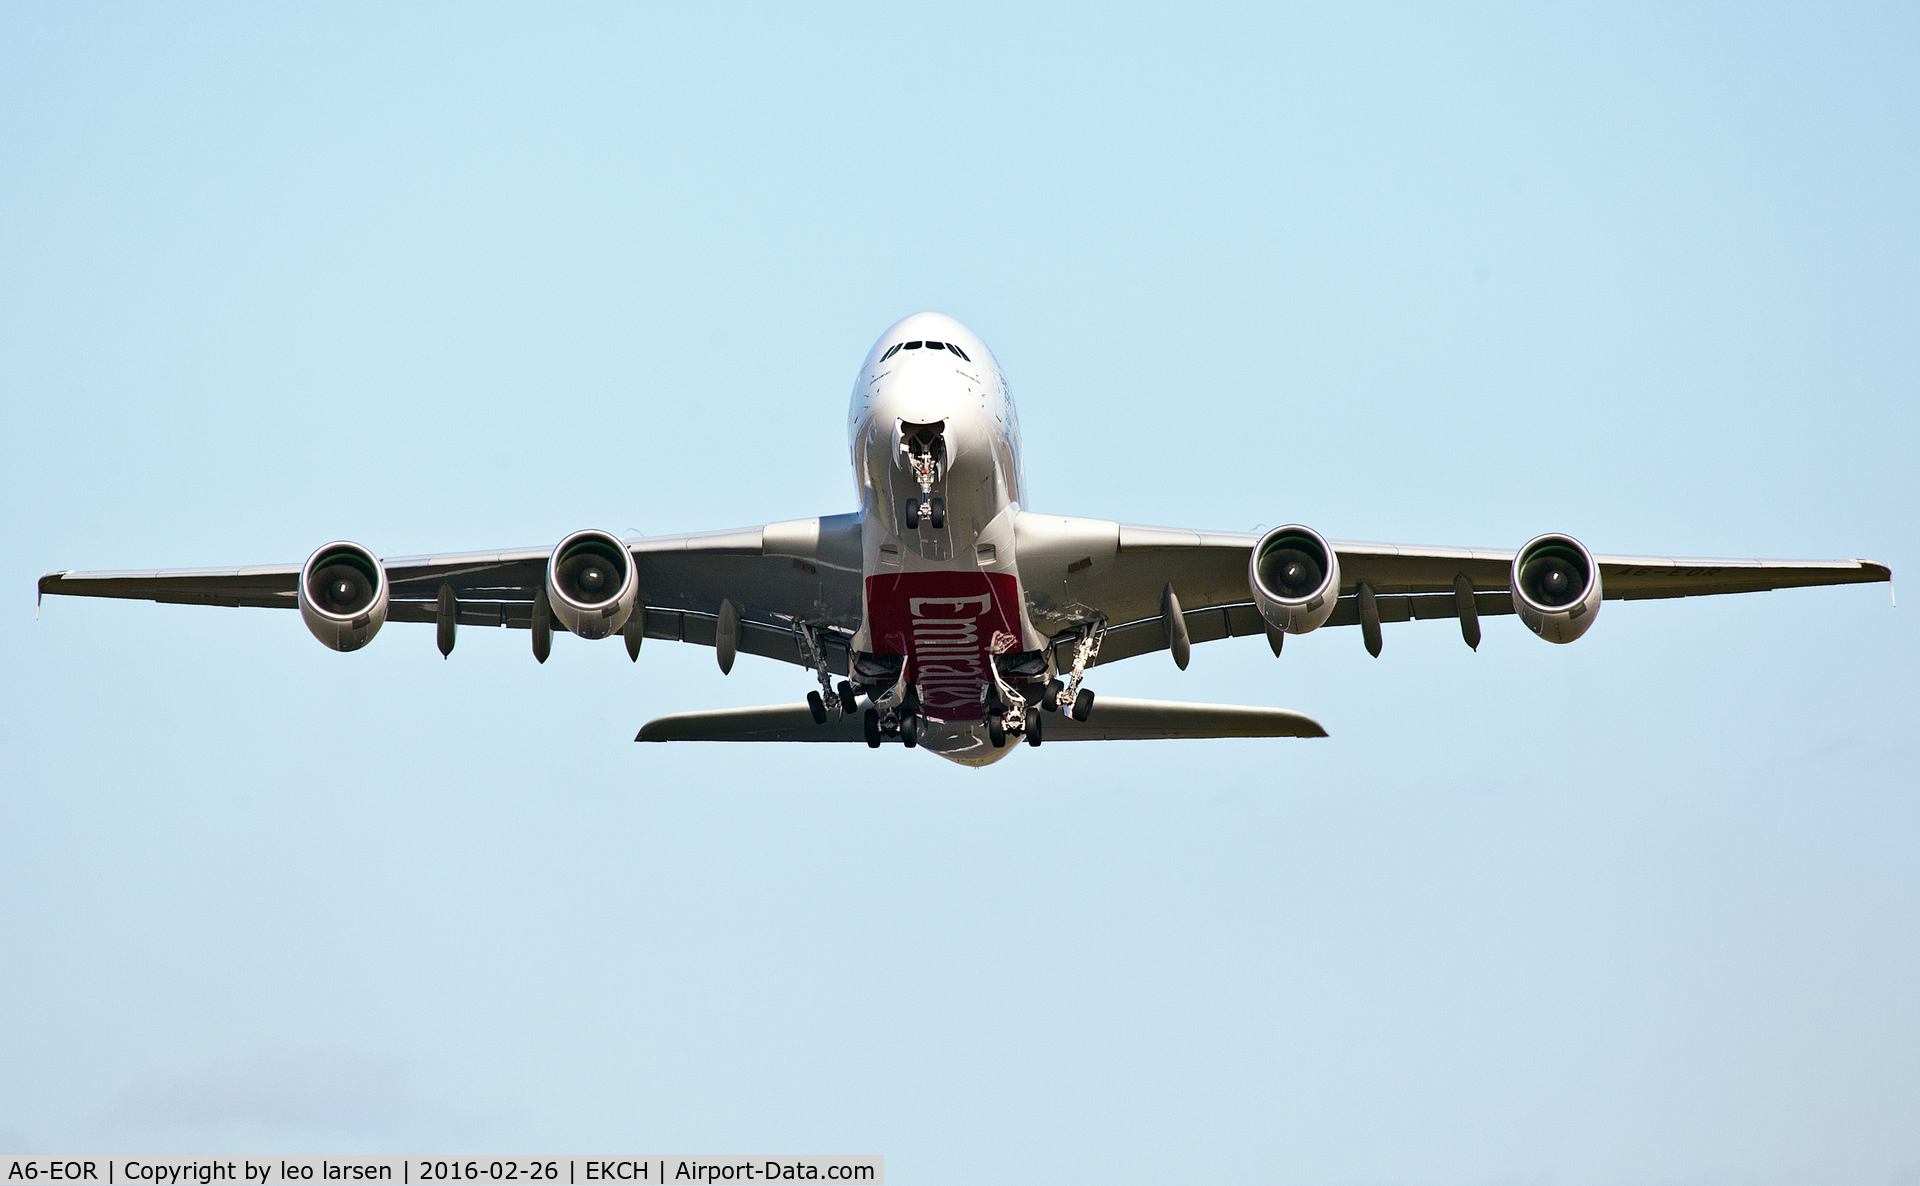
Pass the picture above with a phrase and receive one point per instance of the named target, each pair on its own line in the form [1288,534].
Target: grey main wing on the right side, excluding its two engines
[1076,571]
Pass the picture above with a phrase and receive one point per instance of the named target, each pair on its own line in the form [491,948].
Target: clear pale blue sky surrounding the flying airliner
[1637,911]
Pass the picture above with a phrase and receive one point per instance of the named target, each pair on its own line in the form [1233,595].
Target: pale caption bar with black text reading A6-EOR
[412,1172]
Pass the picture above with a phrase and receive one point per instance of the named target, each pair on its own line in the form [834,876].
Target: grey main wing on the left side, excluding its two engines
[775,575]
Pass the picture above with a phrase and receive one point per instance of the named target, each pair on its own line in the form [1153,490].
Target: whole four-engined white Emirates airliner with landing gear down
[949,615]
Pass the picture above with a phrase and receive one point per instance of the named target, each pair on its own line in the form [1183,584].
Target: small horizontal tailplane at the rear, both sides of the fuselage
[1115,719]
